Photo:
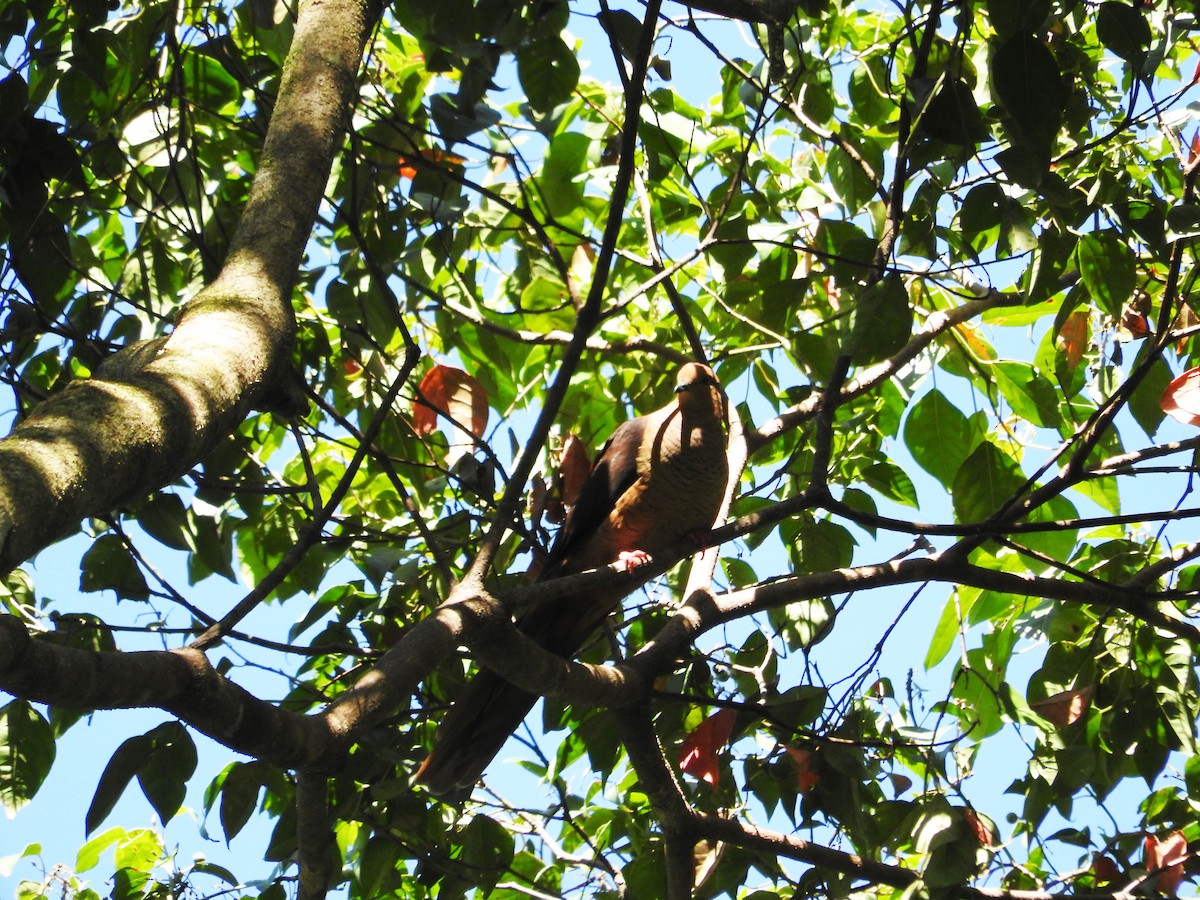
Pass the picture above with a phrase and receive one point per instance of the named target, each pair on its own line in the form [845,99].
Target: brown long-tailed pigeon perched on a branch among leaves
[658,481]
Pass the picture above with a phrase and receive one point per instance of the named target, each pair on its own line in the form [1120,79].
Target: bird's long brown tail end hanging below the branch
[472,734]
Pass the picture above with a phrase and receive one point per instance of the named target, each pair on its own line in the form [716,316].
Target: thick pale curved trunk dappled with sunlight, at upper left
[153,413]
